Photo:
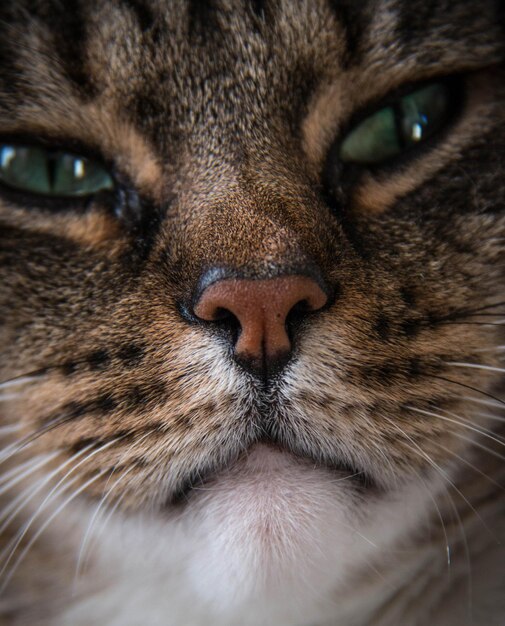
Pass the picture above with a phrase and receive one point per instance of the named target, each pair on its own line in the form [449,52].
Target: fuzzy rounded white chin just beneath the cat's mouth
[269,523]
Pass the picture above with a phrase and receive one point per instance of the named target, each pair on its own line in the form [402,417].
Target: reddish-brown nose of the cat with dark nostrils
[257,315]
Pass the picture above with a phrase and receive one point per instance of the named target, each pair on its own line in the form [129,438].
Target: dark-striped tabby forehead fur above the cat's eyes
[182,48]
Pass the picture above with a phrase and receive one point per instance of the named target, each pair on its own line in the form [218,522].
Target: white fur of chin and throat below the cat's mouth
[271,540]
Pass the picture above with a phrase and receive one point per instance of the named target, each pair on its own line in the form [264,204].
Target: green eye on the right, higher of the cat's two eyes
[393,129]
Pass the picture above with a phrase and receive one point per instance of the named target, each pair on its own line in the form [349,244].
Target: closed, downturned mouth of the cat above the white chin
[265,460]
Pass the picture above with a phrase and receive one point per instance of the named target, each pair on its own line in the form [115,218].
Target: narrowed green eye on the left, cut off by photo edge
[50,173]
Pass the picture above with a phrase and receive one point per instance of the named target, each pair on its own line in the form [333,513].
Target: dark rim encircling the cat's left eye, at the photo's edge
[58,203]
